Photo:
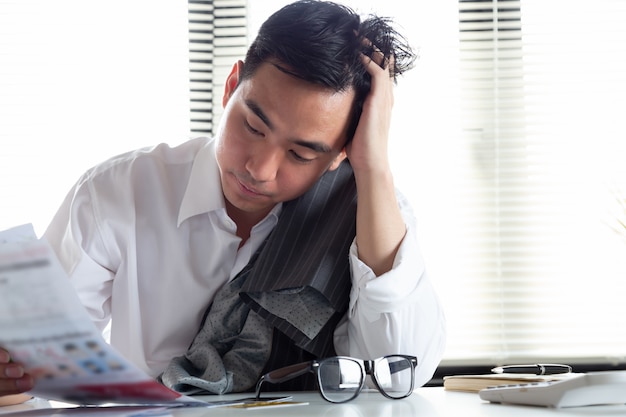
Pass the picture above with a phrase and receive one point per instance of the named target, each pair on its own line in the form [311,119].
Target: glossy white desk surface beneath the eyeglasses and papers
[425,402]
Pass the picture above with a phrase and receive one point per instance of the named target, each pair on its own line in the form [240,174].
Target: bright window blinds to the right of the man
[541,183]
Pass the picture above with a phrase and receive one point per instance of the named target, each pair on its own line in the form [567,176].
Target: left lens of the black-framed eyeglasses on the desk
[340,379]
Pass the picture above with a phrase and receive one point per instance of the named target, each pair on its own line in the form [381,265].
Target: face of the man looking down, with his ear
[278,135]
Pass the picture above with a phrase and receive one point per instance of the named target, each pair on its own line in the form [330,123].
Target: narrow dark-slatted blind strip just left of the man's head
[217,38]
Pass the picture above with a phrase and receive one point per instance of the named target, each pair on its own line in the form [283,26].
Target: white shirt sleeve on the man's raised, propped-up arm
[397,312]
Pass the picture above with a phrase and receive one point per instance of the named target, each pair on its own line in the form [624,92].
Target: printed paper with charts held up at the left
[44,326]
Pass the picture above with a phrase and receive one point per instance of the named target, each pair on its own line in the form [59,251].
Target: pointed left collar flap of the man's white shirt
[204,190]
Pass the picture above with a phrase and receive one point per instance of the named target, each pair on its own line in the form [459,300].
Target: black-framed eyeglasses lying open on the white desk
[342,378]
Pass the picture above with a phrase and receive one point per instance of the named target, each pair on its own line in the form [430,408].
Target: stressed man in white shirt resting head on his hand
[151,238]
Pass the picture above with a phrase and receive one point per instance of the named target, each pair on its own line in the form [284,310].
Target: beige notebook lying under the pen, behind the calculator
[474,383]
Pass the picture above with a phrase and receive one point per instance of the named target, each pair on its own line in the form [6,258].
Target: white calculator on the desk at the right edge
[592,388]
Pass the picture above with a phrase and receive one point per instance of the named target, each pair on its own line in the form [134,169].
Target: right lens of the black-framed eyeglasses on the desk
[394,375]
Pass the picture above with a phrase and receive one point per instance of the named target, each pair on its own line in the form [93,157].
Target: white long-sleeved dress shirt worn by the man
[147,243]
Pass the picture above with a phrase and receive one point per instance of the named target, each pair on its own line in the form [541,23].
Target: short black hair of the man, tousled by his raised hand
[321,42]
